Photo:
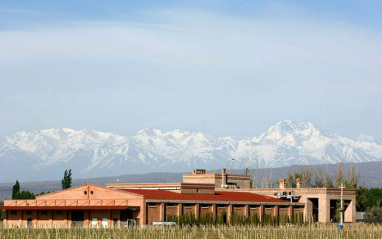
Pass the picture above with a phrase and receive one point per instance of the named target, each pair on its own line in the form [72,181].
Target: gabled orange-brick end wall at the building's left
[73,196]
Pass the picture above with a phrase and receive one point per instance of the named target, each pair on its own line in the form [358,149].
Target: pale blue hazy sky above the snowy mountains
[220,67]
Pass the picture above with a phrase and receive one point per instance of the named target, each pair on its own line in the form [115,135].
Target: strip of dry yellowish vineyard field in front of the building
[356,231]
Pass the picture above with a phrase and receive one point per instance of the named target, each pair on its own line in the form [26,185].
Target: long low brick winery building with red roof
[120,205]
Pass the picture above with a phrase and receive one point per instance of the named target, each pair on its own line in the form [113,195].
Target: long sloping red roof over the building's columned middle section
[224,196]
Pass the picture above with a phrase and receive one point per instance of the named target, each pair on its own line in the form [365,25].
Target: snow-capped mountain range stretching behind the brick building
[45,154]
